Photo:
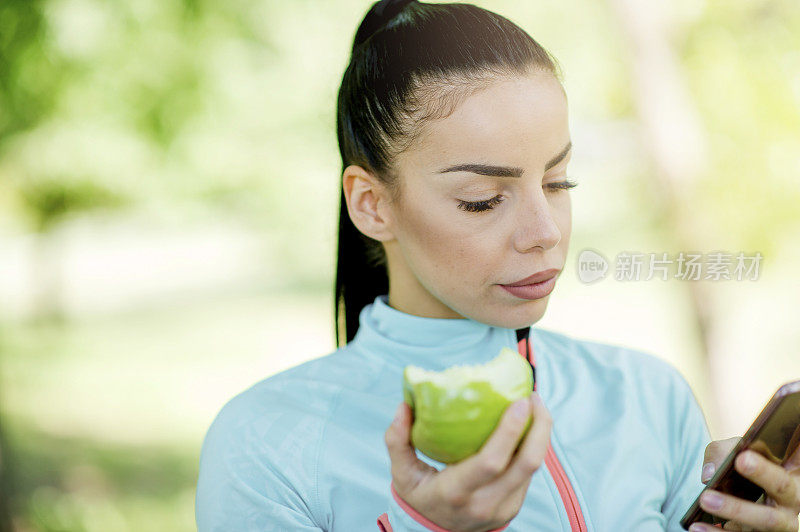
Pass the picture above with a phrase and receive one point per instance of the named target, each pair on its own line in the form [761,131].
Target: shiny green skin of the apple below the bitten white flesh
[449,427]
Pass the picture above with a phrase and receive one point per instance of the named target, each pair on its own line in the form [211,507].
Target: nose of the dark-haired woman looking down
[536,224]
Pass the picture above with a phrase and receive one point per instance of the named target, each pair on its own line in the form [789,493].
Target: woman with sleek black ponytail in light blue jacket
[454,225]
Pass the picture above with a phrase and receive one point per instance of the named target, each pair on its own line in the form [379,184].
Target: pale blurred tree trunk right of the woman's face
[677,145]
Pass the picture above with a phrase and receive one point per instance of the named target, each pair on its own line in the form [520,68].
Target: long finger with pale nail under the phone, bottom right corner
[747,513]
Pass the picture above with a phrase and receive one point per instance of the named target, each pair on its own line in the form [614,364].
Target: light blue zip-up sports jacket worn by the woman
[304,449]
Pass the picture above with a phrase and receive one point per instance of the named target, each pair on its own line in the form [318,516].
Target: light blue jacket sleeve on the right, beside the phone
[690,436]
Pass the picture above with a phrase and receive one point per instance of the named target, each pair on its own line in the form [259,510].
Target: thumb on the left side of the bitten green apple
[407,469]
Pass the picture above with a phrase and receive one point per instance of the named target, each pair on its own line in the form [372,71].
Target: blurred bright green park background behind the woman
[168,200]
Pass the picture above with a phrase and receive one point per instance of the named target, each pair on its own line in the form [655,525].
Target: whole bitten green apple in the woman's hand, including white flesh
[457,409]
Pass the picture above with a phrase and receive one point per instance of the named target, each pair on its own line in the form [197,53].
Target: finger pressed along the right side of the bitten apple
[493,457]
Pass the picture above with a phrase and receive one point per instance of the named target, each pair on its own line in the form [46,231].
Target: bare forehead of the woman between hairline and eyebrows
[518,120]
